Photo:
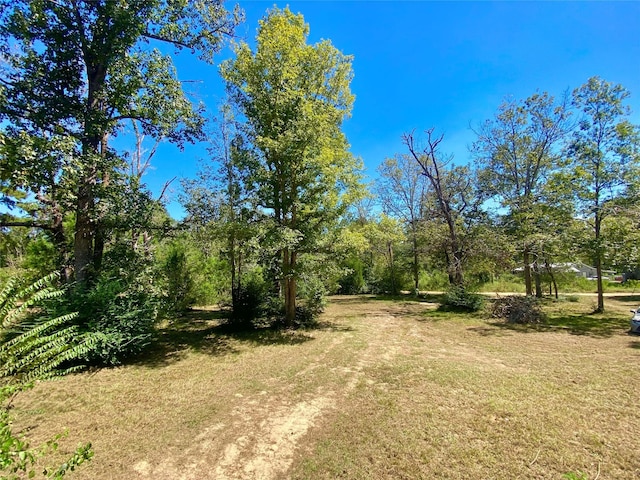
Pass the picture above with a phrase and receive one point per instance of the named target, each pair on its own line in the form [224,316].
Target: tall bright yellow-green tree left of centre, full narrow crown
[294,97]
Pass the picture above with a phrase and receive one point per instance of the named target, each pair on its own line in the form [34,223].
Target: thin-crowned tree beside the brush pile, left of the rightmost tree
[518,150]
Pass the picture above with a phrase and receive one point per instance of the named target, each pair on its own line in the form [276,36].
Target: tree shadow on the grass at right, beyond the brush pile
[597,326]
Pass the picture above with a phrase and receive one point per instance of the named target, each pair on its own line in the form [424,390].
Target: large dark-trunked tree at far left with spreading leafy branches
[75,69]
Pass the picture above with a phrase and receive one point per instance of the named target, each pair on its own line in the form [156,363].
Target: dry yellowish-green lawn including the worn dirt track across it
[383,389]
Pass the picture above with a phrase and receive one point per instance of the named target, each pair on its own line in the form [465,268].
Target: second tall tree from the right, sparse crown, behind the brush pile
[519,150]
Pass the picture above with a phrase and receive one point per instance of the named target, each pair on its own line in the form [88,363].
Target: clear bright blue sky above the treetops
[446,65]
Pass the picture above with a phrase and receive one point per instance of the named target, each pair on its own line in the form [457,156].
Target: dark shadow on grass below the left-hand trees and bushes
[206,331]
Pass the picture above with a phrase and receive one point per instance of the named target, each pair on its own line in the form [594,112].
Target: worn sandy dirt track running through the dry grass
[263,434]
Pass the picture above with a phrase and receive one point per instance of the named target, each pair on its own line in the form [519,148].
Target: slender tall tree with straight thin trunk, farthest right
[604,152]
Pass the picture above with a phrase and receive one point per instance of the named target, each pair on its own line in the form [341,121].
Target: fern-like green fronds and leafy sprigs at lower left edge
[34,346]
